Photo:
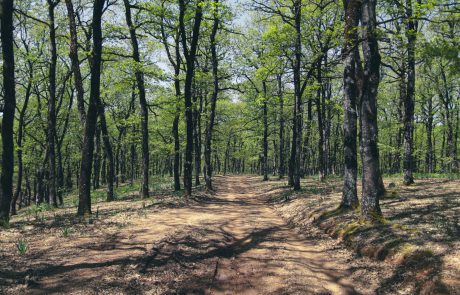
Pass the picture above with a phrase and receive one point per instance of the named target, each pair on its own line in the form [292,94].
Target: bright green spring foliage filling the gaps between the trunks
[255,46]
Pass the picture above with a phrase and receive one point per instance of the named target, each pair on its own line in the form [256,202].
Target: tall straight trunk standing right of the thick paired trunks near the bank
[409,99]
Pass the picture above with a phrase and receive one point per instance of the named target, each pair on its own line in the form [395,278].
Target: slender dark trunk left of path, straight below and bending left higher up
[142,102]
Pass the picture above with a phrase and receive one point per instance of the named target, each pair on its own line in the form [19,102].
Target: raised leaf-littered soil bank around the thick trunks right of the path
[419,234]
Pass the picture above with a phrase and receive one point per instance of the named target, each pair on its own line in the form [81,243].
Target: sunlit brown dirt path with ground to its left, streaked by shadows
[230,243]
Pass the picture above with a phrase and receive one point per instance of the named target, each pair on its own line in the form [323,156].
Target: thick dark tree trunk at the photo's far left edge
[9,100]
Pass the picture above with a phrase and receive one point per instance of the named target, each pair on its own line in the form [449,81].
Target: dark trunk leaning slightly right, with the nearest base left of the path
[84,204]
